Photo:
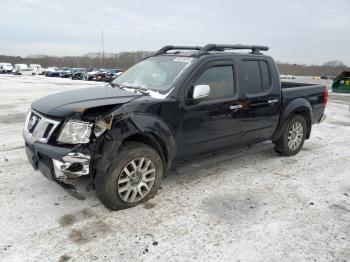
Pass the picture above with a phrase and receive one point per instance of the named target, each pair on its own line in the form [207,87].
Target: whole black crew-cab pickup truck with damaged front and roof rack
[180,102]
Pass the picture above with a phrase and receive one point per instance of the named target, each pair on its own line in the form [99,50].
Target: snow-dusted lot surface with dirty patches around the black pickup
[248,205]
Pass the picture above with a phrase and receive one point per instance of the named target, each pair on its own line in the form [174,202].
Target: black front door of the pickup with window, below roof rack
[212,122]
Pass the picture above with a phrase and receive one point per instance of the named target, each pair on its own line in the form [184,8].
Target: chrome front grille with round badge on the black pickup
[38,128]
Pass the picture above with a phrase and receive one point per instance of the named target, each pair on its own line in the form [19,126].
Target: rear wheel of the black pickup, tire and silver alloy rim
[295,130]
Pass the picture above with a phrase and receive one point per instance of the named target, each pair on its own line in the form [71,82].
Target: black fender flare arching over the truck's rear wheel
[295,106]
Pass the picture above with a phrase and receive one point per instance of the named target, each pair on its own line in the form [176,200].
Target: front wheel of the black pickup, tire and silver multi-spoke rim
[113,187]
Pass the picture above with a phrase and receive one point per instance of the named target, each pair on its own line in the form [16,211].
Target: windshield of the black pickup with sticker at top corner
[155,73]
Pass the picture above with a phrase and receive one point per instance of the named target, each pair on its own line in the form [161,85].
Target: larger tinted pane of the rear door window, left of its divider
[252,77]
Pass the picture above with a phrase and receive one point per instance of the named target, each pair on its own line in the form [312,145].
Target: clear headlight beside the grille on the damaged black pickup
[75,132]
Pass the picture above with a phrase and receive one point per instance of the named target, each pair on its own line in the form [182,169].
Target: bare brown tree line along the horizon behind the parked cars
[124,60]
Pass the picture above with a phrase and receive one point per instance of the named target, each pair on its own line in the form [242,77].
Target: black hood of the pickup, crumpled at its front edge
[66,103]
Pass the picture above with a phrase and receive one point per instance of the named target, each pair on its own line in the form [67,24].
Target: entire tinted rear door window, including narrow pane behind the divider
[257,77]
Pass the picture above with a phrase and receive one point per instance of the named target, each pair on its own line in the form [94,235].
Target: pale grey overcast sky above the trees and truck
[297,31]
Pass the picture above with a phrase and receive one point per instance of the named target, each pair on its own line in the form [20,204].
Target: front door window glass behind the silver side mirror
[220,80]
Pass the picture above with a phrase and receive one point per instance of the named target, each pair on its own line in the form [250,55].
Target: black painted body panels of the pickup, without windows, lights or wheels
[178,127]
